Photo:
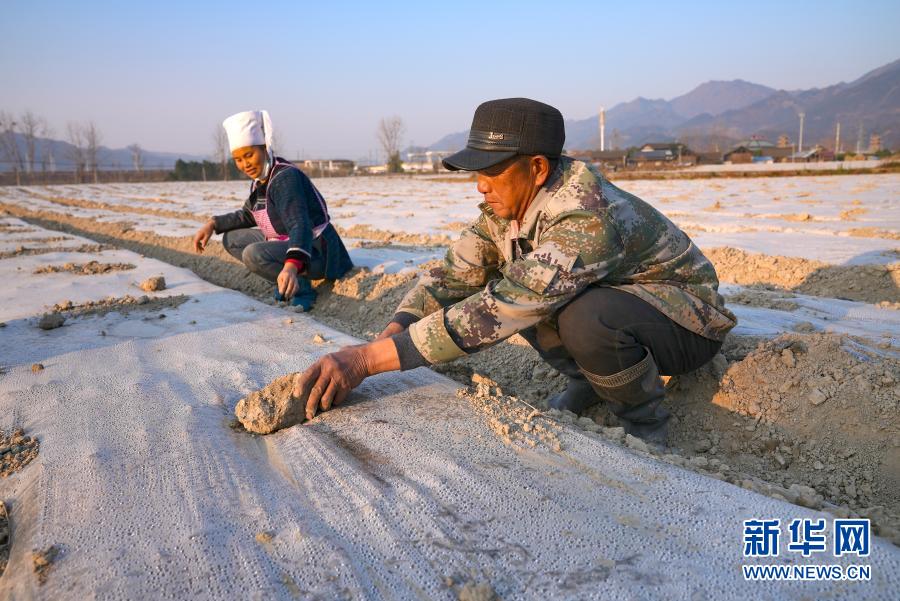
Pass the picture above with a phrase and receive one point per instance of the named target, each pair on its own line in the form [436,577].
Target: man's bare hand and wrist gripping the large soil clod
[331,378]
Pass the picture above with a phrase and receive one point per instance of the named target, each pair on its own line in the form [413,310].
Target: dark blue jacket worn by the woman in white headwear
[295,207]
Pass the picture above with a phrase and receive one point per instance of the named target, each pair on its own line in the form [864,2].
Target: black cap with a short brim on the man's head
[503,128]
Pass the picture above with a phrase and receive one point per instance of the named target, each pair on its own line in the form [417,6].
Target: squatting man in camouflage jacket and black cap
[607,289]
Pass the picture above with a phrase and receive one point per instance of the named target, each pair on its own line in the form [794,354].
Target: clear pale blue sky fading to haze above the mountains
[165,74]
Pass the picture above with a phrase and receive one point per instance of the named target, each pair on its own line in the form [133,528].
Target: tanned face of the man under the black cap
[508,187]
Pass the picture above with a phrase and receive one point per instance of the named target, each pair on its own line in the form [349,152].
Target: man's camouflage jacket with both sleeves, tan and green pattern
[501,277]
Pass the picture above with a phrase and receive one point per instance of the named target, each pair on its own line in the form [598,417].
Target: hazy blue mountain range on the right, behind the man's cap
[719,114]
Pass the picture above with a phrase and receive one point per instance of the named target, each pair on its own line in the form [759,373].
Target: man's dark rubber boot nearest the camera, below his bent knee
[634,396]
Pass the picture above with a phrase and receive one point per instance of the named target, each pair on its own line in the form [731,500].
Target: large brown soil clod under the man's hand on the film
[272,408]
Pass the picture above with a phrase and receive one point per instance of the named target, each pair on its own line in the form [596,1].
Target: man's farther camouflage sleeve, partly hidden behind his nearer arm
[471,261]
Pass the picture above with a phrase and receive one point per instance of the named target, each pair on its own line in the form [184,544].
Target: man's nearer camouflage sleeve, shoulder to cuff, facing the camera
[576,250]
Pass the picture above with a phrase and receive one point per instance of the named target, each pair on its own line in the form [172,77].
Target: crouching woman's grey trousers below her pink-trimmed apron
[266,258]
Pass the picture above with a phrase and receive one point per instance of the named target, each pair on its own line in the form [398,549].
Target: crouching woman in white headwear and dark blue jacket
[283,232]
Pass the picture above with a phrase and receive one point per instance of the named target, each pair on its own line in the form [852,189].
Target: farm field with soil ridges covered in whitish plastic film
[802,406]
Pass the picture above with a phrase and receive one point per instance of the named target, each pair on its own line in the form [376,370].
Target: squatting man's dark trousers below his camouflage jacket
[605,331]
